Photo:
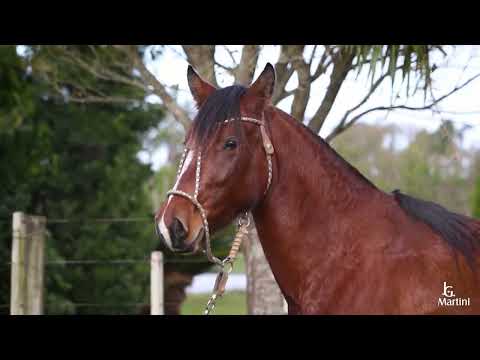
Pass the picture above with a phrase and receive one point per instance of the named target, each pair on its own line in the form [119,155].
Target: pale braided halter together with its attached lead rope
[226,265]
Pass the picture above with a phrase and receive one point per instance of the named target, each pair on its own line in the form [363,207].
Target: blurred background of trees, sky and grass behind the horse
[91,136]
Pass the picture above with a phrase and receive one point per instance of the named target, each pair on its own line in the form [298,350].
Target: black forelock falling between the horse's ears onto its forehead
[223,104]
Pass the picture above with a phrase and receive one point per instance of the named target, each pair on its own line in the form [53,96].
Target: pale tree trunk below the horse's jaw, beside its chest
[263,294]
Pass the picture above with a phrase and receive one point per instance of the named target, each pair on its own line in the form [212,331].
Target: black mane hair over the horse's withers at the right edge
[459,231]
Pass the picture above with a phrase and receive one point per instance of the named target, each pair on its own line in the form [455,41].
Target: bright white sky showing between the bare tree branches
[463,107]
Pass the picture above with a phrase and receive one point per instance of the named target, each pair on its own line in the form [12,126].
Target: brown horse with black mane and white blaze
[336,243]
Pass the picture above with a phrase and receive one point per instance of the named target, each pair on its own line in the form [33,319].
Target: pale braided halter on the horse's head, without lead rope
[269,150]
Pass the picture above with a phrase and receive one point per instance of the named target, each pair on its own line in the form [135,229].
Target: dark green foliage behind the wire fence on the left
[77,162]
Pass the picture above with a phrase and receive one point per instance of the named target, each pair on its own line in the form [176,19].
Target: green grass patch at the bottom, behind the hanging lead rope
[231,303]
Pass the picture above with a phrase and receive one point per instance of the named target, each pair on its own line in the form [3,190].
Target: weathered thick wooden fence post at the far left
[27,275]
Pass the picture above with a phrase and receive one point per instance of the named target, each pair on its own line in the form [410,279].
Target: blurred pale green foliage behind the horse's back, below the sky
[431,167]
